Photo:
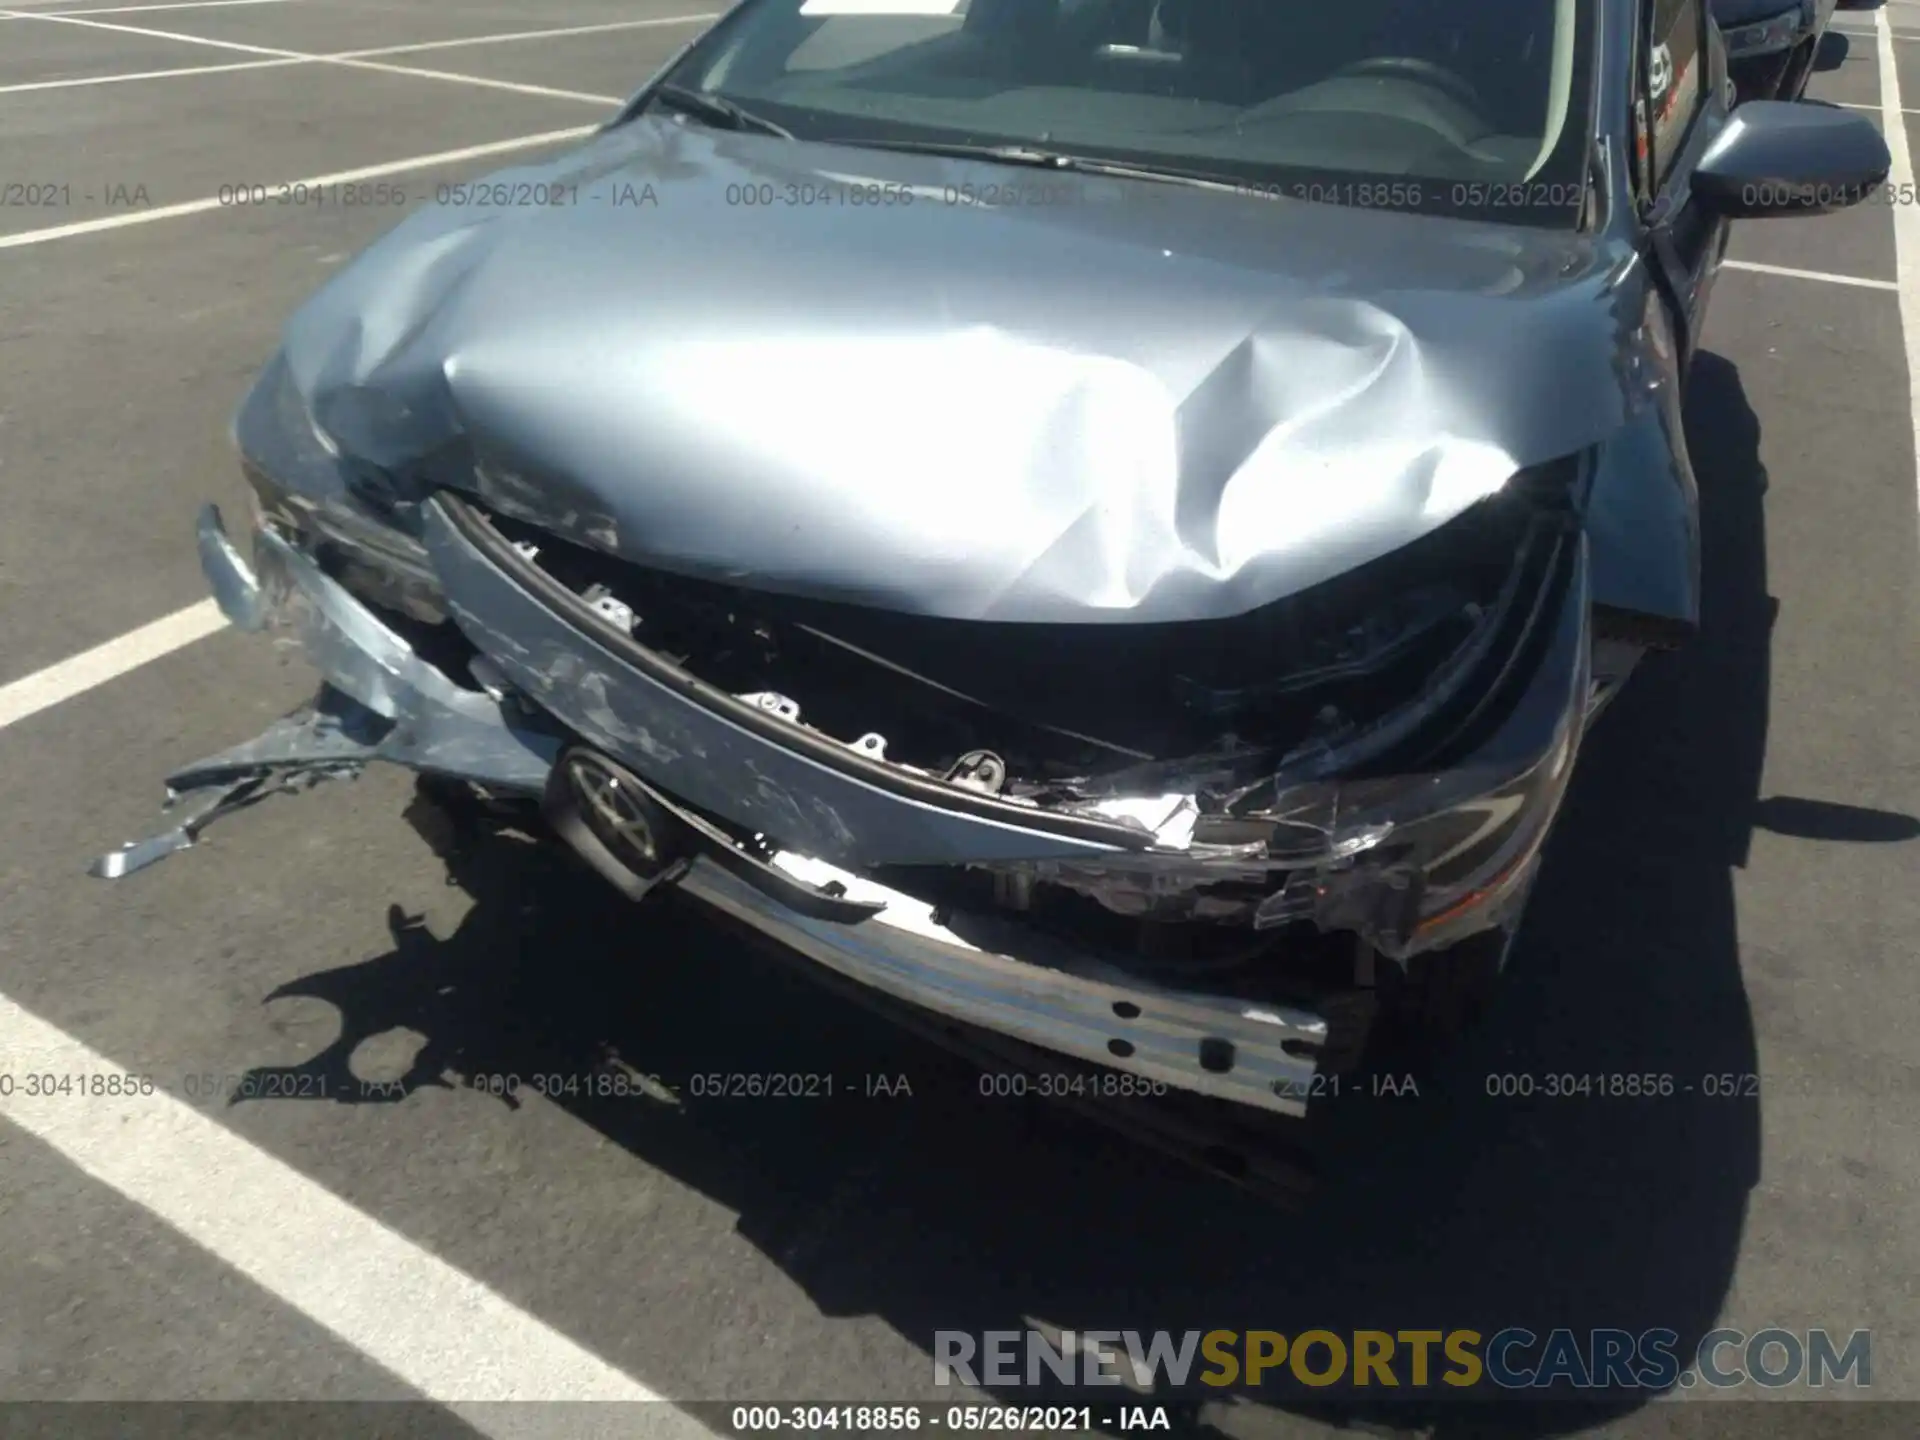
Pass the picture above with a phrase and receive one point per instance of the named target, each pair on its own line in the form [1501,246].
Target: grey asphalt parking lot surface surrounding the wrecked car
[362,1218]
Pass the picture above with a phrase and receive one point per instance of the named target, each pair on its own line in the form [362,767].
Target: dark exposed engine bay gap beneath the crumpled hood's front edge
[1072,713]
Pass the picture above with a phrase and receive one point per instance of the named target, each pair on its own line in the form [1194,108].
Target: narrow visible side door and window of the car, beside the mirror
[1679,107]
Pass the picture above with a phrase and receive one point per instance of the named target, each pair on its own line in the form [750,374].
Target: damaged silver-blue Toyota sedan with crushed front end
[1101,521]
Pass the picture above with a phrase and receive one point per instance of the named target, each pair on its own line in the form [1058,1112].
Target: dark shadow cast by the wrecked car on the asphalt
[1483,1203]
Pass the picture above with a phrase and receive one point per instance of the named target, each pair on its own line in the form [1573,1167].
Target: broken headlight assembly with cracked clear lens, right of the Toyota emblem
[1418,832]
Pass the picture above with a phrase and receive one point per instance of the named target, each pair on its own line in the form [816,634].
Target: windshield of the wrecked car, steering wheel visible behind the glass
[1456,107]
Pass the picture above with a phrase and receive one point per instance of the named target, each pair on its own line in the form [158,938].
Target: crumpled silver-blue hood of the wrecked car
[1118,402]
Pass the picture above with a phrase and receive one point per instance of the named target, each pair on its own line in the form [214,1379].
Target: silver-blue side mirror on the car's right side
[1790,158]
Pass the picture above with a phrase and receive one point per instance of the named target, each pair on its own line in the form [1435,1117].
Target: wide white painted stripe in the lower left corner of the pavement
[433,1326]
